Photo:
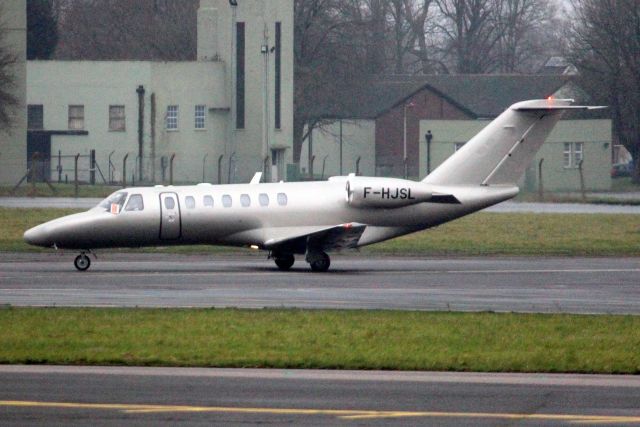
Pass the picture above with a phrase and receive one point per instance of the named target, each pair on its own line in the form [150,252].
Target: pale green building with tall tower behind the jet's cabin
[218,119]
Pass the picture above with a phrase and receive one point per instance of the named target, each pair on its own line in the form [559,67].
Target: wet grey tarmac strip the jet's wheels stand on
[572,285]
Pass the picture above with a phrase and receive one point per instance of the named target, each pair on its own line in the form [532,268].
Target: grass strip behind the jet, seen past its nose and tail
[478,234]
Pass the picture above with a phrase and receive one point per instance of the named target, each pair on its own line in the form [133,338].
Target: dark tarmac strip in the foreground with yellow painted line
[102,396]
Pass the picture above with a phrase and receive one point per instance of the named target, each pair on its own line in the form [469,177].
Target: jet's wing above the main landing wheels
[342,236]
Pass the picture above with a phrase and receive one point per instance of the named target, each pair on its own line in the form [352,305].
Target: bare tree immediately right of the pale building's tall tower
[331,58]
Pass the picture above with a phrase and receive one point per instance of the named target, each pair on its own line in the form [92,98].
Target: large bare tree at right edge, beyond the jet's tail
[605,45]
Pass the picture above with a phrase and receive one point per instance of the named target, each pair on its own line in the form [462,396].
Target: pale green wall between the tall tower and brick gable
[358,138]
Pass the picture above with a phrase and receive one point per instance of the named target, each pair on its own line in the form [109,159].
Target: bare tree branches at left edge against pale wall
[8,60]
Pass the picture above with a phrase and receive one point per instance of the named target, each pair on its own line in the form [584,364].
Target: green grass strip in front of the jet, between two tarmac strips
[322,339]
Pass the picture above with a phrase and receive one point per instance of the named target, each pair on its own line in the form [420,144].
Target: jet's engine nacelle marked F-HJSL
[367,192]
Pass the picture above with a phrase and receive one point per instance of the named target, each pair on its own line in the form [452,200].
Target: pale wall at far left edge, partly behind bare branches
[13,142]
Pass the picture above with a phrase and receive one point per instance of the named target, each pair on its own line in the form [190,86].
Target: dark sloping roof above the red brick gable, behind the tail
[480,96]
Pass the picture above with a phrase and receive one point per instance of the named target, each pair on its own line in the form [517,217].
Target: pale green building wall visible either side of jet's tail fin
[595,134]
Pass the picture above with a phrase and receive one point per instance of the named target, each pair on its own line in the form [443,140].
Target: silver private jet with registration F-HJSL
[313,218]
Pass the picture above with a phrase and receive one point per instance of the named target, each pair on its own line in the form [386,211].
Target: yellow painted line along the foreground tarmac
[339,413]
